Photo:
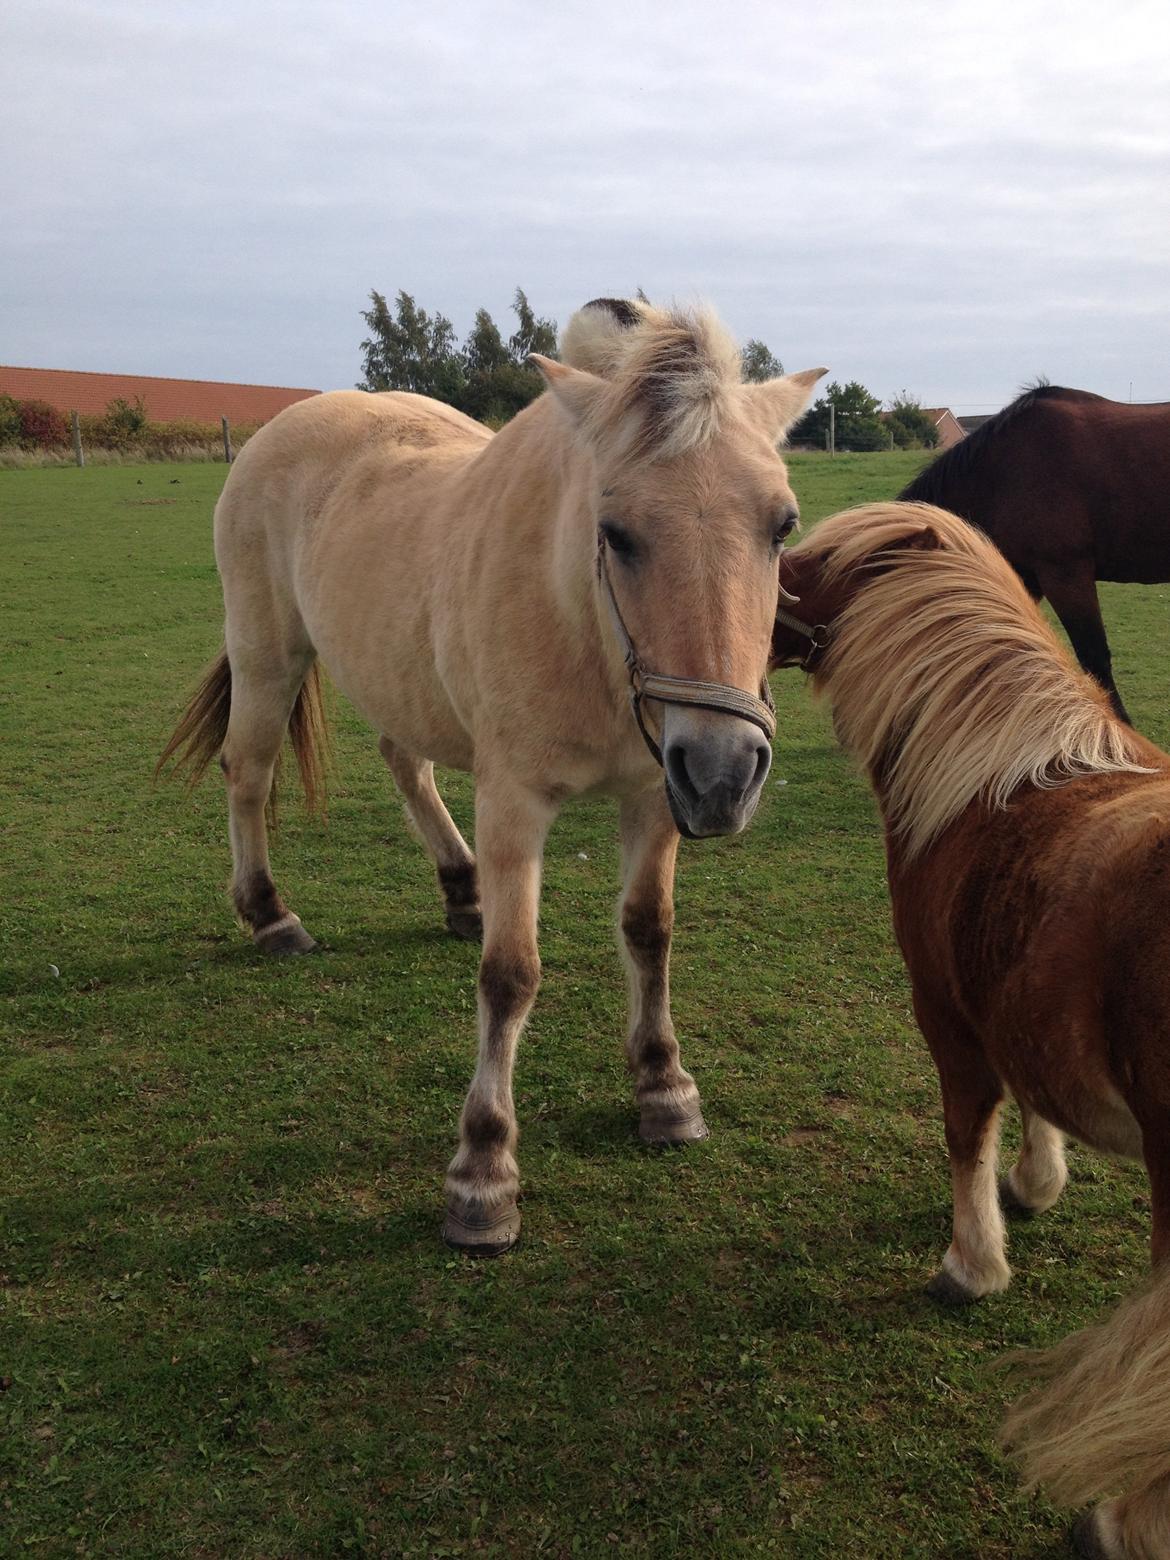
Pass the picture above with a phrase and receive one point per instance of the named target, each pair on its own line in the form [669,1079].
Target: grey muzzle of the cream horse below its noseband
[715,768]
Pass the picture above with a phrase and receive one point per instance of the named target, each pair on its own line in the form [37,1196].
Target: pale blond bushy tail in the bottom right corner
[1097,1420]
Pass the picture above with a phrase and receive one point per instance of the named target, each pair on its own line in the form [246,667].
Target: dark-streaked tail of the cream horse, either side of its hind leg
[204,729]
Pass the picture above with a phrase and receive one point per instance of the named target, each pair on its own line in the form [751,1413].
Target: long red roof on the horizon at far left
[166,400]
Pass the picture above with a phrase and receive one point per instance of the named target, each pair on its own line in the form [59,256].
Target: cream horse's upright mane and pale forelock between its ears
[673,374]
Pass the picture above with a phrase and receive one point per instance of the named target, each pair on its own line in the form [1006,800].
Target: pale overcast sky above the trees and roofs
[949,197]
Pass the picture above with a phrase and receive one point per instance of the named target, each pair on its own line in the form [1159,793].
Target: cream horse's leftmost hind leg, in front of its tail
[263,703]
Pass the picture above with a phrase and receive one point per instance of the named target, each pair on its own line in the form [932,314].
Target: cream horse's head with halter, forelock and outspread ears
[690,506]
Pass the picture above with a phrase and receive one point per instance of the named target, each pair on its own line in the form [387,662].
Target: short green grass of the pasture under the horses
[229,1325]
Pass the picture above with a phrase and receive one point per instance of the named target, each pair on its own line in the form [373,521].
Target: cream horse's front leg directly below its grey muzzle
[672,1111]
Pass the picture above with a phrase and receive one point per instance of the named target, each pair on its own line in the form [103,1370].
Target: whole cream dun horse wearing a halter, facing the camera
[480,600]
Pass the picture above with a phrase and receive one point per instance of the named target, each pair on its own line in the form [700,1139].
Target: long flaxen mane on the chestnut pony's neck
[945,678]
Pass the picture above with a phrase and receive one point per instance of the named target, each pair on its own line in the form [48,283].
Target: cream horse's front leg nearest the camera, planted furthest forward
[483,1180]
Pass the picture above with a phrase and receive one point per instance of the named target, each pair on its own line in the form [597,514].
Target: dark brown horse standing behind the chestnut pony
[1072,489]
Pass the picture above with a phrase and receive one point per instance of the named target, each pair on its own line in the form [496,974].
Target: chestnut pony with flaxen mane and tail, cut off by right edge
[1029,854]
